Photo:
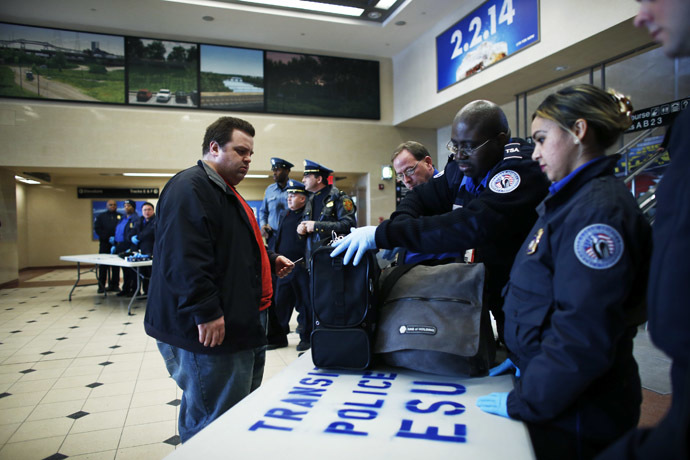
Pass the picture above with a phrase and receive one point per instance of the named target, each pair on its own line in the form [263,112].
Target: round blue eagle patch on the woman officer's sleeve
[598,246]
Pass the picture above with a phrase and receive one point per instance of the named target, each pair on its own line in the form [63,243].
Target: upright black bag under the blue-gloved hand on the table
[344,307]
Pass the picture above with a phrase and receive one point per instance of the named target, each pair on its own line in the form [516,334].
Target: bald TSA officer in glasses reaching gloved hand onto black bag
[484,202]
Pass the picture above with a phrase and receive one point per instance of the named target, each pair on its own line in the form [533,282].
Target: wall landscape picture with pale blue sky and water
[232,78]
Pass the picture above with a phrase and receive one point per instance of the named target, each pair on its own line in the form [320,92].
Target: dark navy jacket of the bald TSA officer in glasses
[443,216]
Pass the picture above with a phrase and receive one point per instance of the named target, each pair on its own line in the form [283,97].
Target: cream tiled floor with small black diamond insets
[81,379]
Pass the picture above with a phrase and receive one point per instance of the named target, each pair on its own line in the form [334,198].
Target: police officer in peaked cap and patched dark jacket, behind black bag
[328,210]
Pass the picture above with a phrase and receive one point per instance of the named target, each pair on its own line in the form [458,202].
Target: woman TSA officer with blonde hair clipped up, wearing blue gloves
[577,287]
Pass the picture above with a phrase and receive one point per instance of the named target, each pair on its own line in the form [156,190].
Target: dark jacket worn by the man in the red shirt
[207,265]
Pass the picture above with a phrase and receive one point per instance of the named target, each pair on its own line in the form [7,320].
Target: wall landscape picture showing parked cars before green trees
[162,73]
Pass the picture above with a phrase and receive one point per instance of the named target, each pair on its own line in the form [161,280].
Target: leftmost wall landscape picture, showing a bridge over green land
[36,62]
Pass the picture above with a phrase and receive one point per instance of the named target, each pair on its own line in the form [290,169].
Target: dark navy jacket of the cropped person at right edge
[669,304]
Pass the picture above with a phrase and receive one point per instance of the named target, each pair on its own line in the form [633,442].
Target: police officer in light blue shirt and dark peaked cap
[275,201]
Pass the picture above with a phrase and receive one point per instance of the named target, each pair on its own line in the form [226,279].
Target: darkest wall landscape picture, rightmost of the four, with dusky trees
[301,84]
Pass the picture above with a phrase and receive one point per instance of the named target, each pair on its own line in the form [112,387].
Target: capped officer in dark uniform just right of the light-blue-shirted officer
[293,290]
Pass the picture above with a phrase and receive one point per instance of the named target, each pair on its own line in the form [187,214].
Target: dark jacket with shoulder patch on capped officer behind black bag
[336,213]
